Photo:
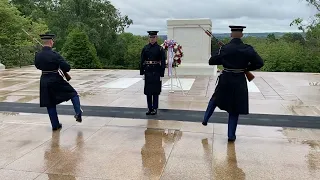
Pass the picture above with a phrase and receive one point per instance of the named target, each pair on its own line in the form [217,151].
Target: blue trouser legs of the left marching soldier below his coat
[53,115]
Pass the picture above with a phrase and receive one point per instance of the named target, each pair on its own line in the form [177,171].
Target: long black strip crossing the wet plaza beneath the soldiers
[170,114]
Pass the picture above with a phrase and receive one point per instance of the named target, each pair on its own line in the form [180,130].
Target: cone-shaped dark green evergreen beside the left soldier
[80,52]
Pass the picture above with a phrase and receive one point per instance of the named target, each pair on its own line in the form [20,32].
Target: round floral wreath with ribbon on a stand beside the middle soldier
[177,50]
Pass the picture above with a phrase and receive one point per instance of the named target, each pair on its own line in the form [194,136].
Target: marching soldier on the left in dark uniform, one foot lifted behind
[53,88]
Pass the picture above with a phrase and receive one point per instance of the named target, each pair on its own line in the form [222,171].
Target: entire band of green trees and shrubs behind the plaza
[96,27]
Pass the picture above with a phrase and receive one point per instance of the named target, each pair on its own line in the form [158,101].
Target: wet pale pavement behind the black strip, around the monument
[278,93]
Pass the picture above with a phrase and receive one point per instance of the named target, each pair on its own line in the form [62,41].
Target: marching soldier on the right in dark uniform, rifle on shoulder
[231,93]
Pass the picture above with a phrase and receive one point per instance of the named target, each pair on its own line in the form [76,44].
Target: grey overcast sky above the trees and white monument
[257,15]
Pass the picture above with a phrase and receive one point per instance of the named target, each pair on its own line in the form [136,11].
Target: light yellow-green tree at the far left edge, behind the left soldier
[16,48]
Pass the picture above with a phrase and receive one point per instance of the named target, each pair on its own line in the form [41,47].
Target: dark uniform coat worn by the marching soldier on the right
[231,93]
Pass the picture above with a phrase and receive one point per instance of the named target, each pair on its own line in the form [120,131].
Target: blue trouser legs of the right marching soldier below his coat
[232,121]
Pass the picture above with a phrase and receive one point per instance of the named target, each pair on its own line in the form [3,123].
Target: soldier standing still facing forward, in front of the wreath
[152,66]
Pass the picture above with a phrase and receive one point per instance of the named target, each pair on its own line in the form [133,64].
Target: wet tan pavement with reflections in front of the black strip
[115,148]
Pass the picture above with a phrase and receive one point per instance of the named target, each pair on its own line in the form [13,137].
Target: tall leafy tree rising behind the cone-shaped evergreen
[98,18]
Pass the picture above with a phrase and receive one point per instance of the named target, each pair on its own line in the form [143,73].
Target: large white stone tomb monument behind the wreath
[196,45]
